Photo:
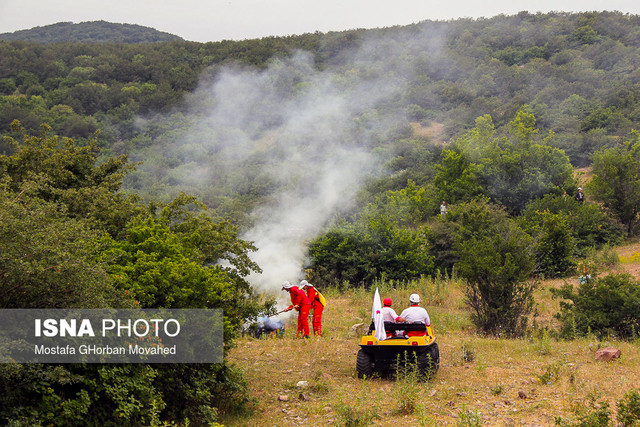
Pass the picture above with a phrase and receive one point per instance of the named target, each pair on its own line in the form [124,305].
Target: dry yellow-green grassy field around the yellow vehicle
[481,381]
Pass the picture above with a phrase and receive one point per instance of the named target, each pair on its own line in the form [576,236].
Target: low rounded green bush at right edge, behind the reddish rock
[603,306]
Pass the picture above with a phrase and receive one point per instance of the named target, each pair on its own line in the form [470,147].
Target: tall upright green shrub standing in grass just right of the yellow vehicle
[495,259]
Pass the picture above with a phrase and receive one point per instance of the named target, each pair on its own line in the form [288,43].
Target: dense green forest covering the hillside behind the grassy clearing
[125,164]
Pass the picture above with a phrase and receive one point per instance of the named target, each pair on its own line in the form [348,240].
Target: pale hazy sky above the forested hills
[213,20]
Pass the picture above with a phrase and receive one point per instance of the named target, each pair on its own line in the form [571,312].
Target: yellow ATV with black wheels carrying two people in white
[384,356]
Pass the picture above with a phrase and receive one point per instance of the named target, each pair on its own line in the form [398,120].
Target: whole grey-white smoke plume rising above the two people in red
[308,133]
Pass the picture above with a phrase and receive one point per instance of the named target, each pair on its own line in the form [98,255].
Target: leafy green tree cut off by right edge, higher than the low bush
[616,181]
